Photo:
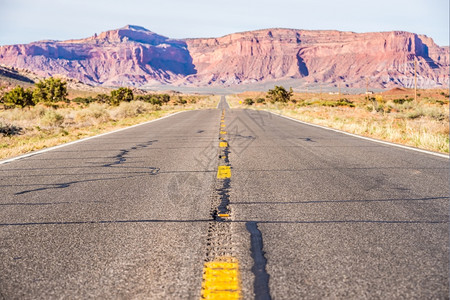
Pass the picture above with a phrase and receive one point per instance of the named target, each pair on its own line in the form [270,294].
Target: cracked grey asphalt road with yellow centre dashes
[296,212]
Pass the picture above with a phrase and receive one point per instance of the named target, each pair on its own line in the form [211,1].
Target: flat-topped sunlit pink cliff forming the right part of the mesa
[385,59]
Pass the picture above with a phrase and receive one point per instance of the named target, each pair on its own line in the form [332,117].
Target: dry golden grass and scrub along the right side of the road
[394,116]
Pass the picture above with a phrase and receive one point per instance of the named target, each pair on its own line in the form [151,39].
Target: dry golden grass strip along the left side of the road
[25,130]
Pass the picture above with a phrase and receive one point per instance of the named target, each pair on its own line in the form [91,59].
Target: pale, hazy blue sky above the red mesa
[25,21]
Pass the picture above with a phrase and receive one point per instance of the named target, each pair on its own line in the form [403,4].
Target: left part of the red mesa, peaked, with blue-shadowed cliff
[128,56]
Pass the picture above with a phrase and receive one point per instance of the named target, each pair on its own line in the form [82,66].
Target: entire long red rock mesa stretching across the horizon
[135,56]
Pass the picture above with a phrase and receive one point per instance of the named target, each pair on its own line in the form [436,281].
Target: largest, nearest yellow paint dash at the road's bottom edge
[221,279]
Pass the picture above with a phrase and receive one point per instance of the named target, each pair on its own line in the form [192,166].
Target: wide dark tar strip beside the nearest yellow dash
[261,283]
